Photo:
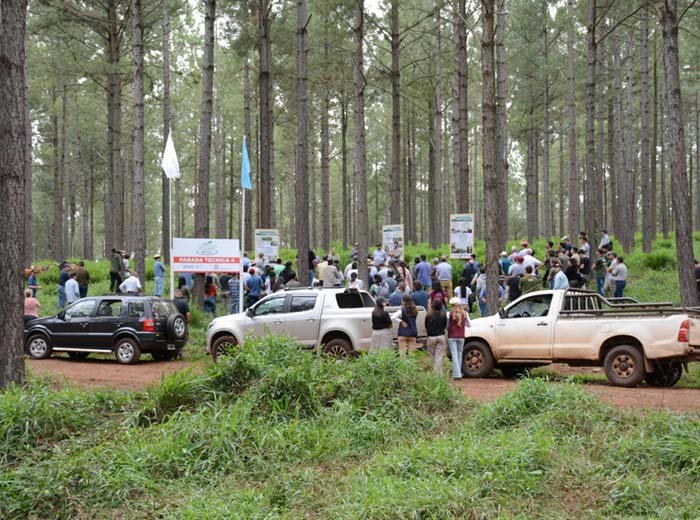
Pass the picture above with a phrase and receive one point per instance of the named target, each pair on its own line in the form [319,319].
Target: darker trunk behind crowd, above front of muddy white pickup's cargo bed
[593,206]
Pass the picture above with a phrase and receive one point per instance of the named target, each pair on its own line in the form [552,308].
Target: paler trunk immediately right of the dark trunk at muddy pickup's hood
[501,136]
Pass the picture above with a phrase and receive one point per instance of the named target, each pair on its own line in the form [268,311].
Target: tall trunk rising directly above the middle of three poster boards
[395,190]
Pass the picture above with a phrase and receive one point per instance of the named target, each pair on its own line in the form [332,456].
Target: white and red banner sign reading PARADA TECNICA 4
[205,255]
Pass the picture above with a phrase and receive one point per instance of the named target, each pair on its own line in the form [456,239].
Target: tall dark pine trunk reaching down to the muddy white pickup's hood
[488,102]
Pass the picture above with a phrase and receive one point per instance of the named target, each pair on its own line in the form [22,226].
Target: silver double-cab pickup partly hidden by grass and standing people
[335,320]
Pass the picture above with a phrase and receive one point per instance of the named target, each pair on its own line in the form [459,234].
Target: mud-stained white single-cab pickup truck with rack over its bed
[632,341]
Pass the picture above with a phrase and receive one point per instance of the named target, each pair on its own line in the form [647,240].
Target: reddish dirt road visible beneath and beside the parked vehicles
[104,372]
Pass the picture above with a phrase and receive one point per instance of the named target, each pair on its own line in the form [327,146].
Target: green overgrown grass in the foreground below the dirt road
[274,432]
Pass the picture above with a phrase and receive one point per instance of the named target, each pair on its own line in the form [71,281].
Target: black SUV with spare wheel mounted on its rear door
[124,325]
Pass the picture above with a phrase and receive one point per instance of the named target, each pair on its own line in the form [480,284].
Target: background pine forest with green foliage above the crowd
[581,109]
